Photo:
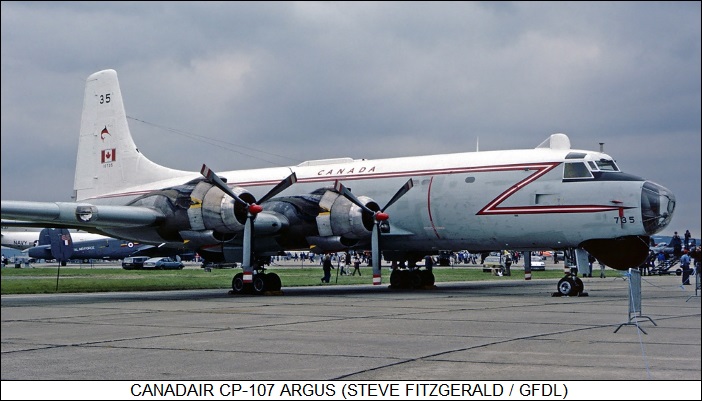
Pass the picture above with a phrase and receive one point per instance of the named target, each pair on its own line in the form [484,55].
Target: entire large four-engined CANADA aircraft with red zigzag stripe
[550,197]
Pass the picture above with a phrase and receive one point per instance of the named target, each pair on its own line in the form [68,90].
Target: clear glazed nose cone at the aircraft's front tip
[657,206]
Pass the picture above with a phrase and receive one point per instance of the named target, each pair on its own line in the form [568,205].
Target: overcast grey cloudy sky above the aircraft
[244,85]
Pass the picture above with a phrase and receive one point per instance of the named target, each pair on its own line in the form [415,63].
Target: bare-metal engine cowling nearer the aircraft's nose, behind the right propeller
[341,217]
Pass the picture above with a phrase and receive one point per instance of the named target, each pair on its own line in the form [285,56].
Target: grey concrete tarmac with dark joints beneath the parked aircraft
[490,330]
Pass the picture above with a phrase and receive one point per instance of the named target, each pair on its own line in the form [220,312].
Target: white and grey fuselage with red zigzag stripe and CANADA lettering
[515,199]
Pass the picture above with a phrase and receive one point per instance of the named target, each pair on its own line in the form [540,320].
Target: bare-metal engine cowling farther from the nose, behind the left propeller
[212,209]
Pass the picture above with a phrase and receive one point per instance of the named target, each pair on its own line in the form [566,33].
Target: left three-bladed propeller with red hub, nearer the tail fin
[252,209]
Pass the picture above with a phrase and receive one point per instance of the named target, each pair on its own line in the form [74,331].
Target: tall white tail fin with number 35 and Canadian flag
[108,160]
